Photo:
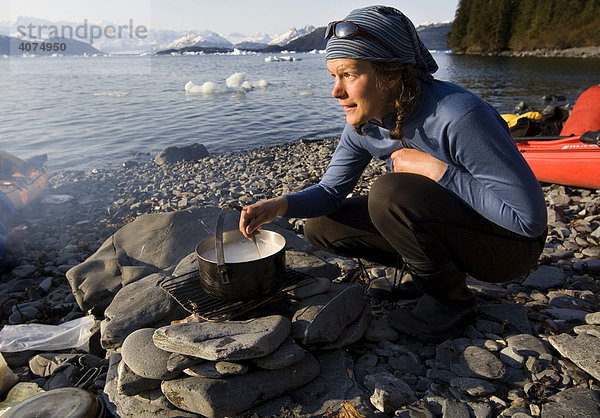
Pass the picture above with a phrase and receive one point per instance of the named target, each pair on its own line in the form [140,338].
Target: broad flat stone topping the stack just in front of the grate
[232,341]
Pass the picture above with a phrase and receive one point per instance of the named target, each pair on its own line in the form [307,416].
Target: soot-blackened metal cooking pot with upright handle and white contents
[246,278]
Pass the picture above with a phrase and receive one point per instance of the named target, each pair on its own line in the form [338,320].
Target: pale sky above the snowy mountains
[221,16]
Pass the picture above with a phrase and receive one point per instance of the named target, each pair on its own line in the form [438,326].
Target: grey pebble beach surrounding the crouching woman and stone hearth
[533,351]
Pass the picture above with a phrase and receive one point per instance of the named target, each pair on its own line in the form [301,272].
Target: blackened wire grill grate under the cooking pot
[188,292]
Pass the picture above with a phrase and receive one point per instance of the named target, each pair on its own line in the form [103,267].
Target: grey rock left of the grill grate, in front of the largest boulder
[139,305]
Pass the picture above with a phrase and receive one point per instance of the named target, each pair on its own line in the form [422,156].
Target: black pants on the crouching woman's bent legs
[413,217]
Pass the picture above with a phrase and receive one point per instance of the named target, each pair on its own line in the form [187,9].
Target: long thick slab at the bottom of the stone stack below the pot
[230,396]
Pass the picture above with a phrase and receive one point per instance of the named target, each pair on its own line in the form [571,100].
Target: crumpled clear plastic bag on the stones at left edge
[72,334]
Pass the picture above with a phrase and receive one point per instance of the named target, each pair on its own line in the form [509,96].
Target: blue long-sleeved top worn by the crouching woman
[485,168]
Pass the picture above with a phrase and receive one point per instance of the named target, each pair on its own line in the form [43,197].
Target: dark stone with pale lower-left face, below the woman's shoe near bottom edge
[388,392]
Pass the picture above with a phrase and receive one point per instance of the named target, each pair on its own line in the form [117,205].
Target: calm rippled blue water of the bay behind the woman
[99,112]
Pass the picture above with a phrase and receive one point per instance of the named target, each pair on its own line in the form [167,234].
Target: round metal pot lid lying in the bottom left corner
[59,403]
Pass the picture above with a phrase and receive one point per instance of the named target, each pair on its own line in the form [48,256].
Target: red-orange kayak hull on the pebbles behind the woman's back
[564,160]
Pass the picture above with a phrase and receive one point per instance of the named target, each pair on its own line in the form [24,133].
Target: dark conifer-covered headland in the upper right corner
[495,26]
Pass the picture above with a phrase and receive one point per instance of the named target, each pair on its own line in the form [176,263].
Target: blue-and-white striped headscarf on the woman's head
[393,29]
